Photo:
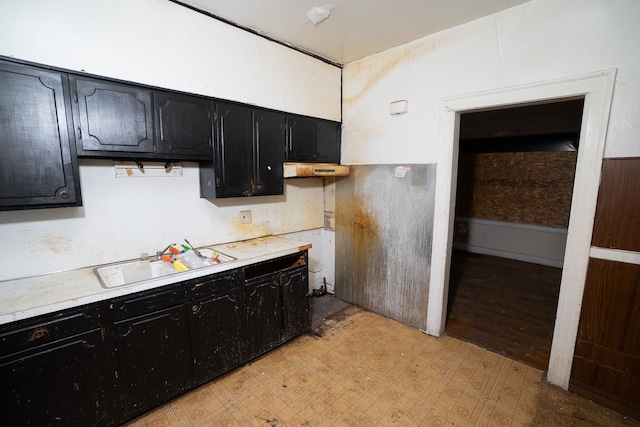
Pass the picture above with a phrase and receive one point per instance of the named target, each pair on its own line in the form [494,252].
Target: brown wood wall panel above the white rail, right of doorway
[617,220]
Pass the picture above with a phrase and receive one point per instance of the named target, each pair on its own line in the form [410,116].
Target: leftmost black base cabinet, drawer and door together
[57,370]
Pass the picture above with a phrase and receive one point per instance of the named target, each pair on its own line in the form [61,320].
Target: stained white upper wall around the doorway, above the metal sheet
[537,41]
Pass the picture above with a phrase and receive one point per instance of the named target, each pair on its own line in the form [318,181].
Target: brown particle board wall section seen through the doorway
[525,187]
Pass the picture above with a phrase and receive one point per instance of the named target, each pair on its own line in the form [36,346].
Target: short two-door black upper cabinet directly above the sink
[121,120]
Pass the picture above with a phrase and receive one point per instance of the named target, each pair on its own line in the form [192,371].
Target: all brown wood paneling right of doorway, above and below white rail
[606,366]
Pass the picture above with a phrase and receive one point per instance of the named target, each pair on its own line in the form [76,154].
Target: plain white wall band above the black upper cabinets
[160,43]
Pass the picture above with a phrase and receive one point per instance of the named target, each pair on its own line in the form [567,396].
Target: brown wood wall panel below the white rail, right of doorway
[606,364]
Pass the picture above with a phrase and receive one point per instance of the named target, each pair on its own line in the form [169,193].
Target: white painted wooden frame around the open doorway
[597,90]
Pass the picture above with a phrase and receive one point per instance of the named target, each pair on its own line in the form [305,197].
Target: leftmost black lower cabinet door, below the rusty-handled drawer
[65,383]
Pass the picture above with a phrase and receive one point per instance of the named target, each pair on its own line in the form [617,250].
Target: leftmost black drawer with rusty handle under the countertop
[31,333]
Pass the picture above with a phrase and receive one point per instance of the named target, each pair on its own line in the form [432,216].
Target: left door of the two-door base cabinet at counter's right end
[263,304]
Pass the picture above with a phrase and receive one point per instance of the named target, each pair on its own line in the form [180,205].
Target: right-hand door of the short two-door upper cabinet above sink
[183,126]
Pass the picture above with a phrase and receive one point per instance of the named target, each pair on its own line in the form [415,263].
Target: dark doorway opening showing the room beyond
[516,169]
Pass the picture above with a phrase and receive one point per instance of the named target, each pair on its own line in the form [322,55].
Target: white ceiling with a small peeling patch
[355,28]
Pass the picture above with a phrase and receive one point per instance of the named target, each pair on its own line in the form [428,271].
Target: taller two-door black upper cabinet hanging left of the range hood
[248,153]
